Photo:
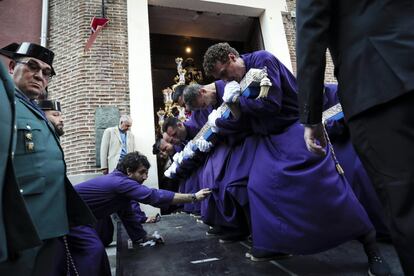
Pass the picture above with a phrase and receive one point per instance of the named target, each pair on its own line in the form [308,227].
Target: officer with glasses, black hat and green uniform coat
[39,166]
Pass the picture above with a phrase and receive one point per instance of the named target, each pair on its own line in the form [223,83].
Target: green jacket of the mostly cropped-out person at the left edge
[17,231]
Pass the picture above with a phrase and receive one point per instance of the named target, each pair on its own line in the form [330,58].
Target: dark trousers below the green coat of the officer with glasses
[37,261]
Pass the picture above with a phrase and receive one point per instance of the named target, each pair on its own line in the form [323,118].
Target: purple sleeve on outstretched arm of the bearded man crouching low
[141,193]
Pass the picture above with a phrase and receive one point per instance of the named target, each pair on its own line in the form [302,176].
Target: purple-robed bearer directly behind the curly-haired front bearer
[226,169]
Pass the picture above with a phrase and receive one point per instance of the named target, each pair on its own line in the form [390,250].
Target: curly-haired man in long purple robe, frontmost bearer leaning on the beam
[299,204]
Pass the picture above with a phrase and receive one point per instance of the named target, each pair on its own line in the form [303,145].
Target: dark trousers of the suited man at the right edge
[383,137]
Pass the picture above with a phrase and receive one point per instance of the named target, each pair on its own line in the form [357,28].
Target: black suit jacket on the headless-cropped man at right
[371,43]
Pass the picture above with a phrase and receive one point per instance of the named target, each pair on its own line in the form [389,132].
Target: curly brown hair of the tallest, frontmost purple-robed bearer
[217,52]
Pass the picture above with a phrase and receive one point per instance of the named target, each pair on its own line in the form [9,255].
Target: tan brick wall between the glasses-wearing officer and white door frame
[87,81]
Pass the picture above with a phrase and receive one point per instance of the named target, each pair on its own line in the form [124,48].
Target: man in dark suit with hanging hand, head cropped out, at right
[371,43]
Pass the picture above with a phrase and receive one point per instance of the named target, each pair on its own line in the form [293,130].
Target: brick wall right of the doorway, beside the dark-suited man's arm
[289,20]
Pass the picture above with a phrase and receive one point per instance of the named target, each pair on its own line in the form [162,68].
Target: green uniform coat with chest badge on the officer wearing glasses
[40,169]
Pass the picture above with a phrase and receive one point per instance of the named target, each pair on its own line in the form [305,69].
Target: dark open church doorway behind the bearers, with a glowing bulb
[186,34]
